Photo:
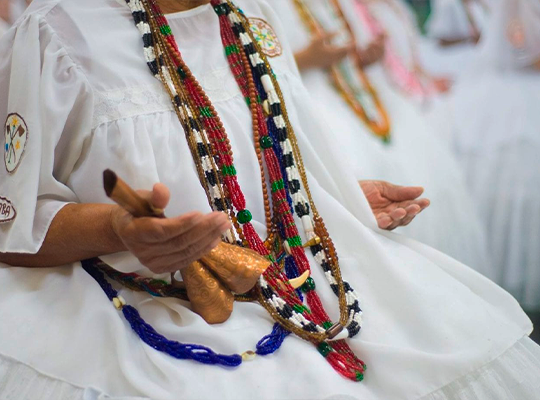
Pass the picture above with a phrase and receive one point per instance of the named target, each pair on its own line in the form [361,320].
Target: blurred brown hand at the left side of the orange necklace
[321,54]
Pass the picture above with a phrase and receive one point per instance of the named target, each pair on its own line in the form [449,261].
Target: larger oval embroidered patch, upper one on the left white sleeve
[16,136]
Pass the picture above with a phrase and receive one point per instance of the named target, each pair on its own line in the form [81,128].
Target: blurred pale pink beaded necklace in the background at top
[410,80]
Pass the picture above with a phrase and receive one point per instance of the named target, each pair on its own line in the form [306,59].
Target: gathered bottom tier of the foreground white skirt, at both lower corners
[512,376]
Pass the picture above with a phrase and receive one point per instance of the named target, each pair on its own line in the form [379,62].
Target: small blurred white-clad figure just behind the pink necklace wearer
[455,27]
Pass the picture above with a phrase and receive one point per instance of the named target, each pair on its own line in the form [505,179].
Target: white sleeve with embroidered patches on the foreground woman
[46,104]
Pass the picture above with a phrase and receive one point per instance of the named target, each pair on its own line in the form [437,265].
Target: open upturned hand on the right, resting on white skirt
[392,205]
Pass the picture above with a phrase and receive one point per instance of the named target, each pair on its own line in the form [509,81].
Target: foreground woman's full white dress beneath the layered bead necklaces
[434,329]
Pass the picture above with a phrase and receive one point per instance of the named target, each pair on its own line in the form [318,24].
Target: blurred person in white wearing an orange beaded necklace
[344,73]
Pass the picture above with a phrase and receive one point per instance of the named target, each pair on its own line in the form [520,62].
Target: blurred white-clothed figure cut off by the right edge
[497,141]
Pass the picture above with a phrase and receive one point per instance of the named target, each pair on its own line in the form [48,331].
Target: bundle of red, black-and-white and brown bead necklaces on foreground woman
[276,143]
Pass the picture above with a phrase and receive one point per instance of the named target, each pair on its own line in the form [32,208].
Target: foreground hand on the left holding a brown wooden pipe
[168,244]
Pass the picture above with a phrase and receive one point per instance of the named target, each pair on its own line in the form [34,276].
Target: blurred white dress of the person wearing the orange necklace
[415,156]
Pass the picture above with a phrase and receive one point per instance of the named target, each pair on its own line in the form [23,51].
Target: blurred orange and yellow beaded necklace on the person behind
[348,76]
